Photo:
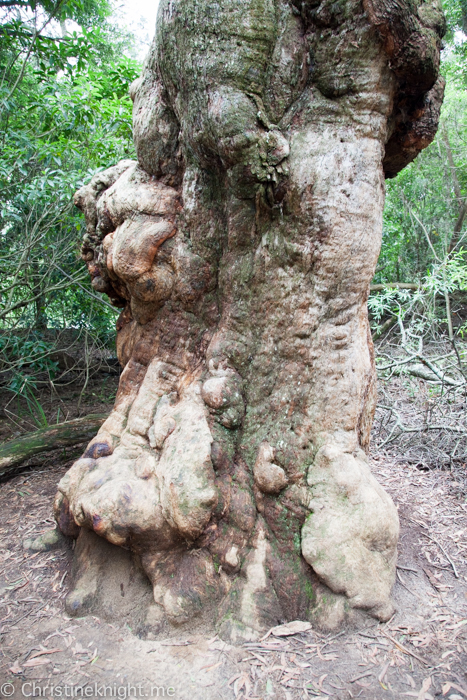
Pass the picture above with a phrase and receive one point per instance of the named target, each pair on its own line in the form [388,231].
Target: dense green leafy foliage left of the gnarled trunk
[65,113]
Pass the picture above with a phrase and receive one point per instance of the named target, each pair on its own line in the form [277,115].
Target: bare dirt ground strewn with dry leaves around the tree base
[420,653]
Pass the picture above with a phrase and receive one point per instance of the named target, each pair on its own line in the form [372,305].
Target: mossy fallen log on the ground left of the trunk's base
[15,452]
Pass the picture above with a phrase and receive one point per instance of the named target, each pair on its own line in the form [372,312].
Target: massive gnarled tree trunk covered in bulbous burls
[241,246]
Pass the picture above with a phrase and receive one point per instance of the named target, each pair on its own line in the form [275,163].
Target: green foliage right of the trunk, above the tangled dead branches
[425,217]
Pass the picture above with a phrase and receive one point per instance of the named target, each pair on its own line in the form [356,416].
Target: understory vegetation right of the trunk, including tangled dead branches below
[418,303]
